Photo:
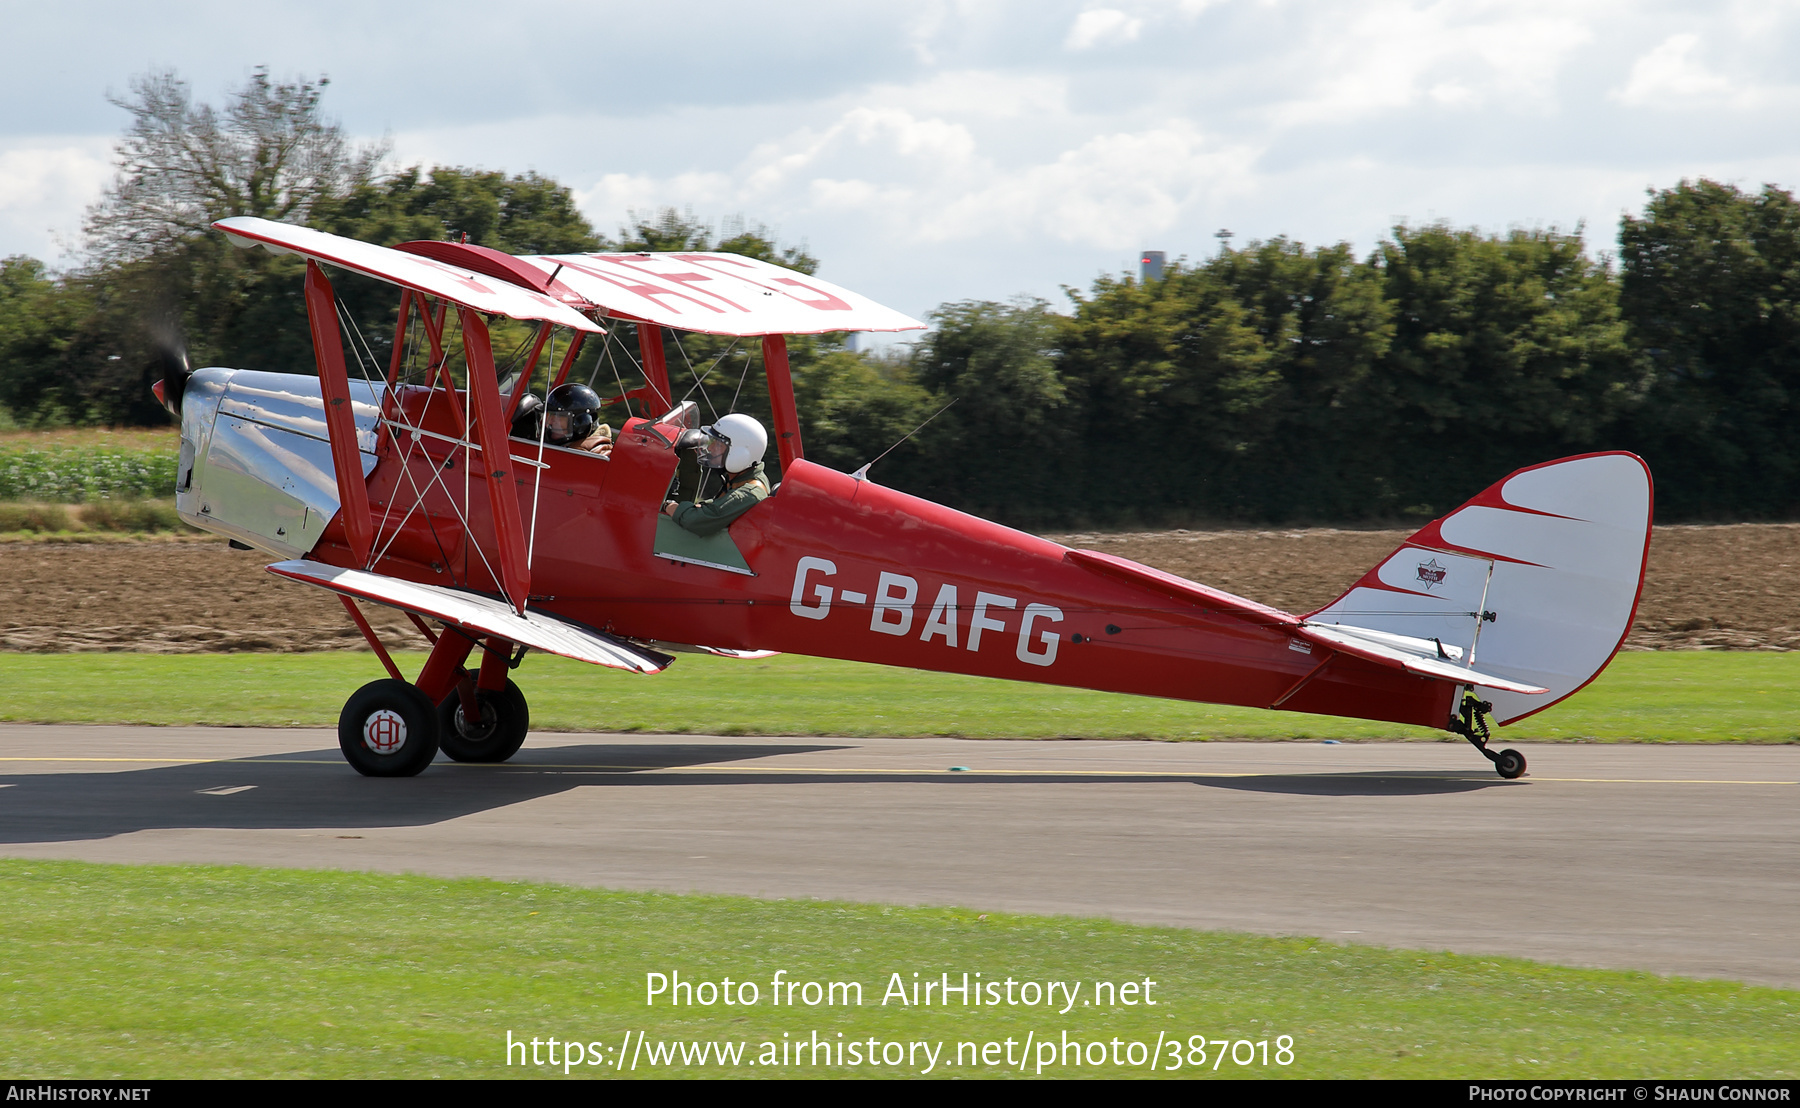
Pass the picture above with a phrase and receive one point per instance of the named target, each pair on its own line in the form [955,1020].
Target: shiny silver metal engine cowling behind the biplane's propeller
[256,461]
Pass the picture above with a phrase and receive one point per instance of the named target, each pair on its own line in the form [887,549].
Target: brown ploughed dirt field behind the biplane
[1729,587]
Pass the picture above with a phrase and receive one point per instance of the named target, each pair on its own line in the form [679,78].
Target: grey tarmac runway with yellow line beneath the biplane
[1666,859]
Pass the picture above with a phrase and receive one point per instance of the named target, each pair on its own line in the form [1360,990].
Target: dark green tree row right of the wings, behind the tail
[1293,384]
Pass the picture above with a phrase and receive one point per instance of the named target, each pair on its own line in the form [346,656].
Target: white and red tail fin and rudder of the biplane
[1536,580]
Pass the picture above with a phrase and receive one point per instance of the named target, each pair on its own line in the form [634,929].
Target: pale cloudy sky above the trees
[939,150]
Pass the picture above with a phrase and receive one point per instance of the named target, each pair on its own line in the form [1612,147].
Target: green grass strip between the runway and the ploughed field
[1691,697]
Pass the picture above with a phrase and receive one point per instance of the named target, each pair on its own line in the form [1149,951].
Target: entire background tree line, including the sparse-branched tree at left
[1268,384]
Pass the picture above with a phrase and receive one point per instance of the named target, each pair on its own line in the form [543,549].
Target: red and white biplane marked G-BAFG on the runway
[404,487]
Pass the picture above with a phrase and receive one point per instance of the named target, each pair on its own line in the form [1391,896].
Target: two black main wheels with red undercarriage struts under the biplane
[395,729]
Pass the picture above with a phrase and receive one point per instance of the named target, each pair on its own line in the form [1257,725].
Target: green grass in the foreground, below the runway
[229,972]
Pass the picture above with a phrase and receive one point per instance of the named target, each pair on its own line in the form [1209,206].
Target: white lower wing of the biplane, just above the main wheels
[480,614]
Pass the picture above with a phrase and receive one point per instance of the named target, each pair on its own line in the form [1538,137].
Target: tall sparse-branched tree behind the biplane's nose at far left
[150,249]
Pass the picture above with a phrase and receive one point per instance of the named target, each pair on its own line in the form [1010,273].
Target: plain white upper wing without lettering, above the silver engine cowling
[408,271]
